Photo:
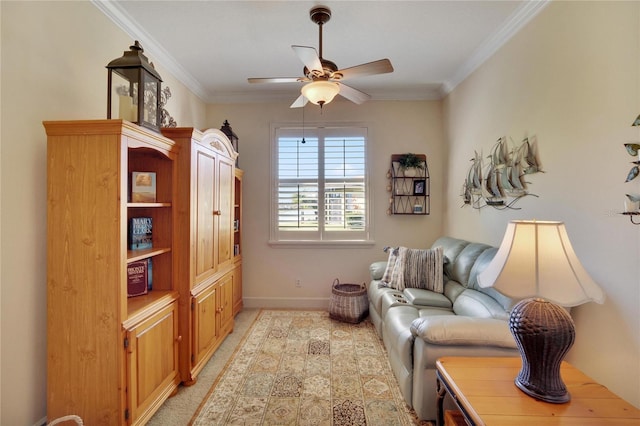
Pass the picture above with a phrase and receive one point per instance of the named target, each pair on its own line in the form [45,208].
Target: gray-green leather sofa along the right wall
[418,326]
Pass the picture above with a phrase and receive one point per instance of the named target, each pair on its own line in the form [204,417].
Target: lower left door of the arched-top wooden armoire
[205,333]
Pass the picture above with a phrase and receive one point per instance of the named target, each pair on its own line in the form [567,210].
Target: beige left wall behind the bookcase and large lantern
[53,68]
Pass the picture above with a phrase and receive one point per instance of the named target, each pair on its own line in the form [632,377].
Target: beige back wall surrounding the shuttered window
[394,127]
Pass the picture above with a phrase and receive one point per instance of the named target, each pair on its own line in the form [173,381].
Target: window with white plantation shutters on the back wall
[320,185]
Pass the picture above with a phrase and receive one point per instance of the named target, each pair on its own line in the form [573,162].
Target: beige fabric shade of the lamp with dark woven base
[536,259]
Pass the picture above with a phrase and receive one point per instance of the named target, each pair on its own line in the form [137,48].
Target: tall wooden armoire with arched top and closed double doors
[208,267]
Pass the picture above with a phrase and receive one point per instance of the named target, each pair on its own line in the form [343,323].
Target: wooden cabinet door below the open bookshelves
[153,363]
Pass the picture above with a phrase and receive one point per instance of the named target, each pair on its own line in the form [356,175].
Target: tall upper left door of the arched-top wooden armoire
[205,205]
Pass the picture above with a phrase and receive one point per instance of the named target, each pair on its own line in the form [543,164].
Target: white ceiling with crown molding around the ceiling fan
[214,46]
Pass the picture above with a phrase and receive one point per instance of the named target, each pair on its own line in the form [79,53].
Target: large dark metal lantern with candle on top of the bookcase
[135,83]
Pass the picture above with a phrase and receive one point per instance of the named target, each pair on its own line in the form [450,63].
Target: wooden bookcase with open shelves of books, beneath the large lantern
[111,359]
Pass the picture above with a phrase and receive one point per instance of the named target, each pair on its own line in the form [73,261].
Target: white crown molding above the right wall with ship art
[513,25]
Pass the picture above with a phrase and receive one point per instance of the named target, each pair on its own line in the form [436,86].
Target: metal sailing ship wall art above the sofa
[499,180]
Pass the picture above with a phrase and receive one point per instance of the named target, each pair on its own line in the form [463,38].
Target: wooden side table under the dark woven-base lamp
[484,390]
